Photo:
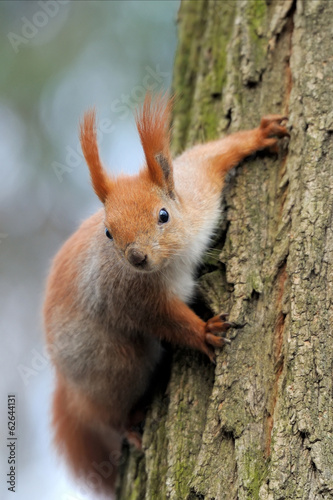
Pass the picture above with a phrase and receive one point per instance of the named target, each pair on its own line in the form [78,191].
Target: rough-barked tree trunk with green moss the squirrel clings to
[259,424]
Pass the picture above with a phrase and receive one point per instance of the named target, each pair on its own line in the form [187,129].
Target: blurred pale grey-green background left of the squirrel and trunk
[58,58]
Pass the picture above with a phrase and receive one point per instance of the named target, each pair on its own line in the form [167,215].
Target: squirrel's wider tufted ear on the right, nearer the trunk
[153,123]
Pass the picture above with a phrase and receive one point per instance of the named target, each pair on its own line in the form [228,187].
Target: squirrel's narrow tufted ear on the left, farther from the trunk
[101,182]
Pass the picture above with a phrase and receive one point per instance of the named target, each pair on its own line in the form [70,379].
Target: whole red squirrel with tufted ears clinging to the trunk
[121,283]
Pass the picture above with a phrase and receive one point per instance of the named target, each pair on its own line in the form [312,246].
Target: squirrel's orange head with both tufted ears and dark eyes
[143,216]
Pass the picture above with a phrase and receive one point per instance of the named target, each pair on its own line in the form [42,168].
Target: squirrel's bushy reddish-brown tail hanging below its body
[92,452]
